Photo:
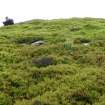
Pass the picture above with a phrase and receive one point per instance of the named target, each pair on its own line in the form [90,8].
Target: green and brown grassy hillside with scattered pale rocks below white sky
[53,62]
